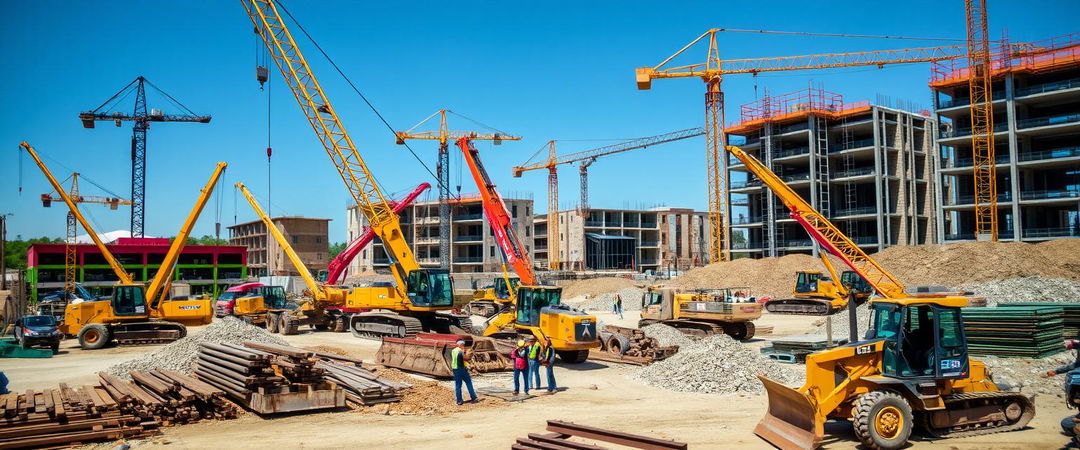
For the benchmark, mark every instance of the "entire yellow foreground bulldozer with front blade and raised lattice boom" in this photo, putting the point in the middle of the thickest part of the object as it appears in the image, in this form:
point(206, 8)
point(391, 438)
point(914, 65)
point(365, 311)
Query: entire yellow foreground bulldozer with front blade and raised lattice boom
point(912, 366)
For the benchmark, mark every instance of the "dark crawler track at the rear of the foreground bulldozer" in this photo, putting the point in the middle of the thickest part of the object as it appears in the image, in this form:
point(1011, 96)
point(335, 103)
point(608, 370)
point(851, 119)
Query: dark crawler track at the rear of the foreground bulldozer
point(1010, 412)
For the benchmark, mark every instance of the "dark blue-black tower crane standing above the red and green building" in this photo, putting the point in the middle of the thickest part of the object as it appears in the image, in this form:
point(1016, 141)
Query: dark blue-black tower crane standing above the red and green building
point(142, 119)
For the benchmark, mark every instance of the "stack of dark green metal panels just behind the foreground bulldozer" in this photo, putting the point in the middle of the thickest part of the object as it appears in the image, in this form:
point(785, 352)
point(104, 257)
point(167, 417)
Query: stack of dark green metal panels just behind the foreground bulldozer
point(1015, 332)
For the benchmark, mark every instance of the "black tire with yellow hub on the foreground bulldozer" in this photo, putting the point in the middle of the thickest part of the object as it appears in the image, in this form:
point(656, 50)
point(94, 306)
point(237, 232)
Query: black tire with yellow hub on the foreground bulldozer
point(882, 420)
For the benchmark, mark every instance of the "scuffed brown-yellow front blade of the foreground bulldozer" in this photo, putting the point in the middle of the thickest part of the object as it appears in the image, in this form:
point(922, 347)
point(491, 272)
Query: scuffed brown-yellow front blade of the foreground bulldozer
point(791, 420)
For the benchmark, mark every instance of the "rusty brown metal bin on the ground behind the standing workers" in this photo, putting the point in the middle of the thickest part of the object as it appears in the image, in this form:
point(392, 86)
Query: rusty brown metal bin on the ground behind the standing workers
point(430, 354)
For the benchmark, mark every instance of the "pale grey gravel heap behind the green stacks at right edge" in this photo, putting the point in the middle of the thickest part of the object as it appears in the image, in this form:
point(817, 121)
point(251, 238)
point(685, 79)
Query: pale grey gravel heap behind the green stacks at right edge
point(1027, 289)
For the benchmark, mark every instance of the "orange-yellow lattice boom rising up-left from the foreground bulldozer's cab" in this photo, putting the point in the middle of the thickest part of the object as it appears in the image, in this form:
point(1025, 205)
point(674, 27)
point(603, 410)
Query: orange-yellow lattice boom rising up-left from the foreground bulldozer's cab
point(825, 233)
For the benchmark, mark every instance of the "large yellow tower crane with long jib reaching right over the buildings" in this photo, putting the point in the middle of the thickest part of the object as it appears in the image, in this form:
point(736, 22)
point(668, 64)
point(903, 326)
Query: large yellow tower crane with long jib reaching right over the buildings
point(712, 73)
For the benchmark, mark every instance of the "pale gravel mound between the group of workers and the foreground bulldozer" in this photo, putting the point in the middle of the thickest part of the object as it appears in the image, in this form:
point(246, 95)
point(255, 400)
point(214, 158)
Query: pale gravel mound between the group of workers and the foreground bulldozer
point(715, 365)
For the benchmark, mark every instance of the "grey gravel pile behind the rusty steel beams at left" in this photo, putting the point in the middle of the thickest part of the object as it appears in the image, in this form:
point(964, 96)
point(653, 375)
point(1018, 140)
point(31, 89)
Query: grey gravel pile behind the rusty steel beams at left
point(182, 356)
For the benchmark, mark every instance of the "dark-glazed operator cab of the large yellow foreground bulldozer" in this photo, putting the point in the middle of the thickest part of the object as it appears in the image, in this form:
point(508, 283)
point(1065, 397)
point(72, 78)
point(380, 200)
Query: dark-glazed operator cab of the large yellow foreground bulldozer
point(921, 340)
